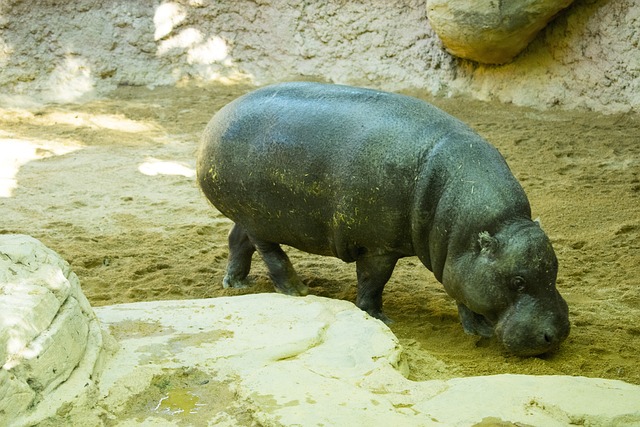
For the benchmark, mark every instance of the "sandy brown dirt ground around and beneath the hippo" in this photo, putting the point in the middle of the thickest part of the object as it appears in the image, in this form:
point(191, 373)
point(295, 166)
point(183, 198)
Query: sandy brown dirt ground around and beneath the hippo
point(109, 185)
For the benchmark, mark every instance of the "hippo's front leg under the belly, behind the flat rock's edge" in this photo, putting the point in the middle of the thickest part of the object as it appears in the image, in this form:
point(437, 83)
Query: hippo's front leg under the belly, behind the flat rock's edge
point(373, 274)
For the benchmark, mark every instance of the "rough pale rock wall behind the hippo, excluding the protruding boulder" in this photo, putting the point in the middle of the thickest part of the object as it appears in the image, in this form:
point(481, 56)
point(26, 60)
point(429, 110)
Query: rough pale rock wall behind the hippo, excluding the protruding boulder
point(61, 51)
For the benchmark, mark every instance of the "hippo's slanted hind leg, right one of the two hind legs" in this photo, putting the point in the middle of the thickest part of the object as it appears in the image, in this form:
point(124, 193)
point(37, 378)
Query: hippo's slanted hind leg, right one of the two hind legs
point(280, 269)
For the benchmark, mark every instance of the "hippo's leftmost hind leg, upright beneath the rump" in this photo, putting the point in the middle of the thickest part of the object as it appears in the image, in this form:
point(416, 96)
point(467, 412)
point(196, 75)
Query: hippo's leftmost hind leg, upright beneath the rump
point(241, 250)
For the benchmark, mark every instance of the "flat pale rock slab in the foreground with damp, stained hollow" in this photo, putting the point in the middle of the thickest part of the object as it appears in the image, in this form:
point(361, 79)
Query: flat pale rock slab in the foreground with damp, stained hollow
point(275, 360)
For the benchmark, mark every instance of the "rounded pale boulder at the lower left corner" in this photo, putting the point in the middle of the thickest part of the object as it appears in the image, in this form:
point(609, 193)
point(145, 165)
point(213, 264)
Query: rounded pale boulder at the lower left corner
point(50, 338)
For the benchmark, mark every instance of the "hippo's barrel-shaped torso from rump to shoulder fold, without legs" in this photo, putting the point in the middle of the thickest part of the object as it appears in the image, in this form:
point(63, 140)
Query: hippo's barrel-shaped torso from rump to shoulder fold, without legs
point(328, 169)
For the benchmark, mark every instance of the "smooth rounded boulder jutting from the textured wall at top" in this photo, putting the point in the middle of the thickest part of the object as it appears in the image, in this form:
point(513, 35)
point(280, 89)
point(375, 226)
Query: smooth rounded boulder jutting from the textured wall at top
point(490, 31)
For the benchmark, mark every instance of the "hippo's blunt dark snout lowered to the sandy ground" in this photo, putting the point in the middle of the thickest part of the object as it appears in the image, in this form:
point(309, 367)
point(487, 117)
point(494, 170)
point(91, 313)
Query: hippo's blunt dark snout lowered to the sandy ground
point(532, 328)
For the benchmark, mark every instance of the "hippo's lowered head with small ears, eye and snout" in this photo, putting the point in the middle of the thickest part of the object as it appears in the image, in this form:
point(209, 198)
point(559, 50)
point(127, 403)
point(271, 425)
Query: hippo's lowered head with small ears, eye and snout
point(505, 284)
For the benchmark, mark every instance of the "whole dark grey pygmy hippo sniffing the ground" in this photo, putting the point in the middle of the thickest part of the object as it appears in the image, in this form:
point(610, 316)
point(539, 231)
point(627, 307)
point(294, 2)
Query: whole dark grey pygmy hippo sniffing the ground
point(372, 177)
